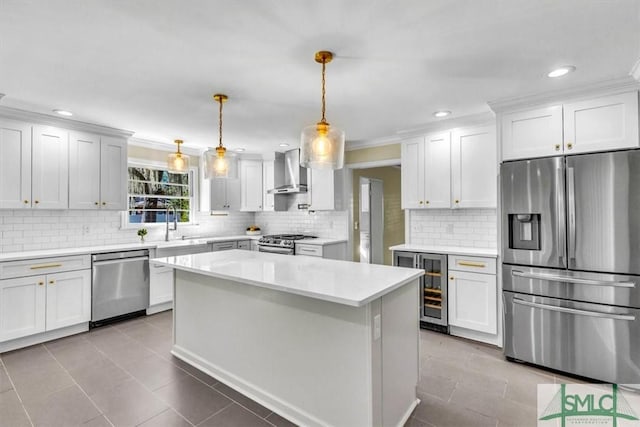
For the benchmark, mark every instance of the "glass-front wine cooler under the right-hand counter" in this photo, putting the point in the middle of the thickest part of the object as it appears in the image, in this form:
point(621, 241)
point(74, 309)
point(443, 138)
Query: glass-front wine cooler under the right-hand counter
point(433, 287)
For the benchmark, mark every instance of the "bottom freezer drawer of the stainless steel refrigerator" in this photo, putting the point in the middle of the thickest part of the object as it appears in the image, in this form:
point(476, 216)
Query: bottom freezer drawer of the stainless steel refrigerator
point(591, 340)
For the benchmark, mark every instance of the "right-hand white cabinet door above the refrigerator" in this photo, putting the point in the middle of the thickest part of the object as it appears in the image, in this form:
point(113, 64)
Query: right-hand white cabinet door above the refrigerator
point(601, 124)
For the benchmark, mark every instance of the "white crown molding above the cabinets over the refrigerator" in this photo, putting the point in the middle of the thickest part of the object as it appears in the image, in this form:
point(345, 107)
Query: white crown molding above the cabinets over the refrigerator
point(621, 84)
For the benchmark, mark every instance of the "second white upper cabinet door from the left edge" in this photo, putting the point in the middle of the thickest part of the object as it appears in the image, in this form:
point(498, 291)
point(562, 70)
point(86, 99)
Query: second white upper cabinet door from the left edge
point(50, 168)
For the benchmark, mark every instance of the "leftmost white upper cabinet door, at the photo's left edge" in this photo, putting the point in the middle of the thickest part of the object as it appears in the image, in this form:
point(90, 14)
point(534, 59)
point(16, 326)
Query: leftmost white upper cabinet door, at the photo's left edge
point(15, 165)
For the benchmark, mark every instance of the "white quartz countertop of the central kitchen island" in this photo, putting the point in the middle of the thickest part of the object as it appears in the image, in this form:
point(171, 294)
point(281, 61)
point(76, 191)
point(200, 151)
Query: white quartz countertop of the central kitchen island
point(342, 282)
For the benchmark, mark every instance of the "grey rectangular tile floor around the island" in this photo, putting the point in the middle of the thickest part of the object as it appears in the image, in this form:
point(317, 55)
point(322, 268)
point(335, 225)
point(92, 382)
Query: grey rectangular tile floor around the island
point(124, 375)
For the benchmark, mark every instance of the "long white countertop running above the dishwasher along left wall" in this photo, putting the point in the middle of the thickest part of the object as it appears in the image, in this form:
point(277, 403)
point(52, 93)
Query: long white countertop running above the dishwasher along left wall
point(48, 253)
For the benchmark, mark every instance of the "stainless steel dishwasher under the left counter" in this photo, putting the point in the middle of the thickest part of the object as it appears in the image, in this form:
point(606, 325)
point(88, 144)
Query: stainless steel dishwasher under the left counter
point(120, 285)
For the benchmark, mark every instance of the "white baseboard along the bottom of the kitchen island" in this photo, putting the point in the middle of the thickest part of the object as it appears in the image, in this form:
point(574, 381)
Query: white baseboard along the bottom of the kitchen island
point(294, 414)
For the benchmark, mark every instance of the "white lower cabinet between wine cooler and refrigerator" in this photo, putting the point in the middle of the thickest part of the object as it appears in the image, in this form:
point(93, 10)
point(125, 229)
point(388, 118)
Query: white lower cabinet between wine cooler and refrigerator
point(473, 294)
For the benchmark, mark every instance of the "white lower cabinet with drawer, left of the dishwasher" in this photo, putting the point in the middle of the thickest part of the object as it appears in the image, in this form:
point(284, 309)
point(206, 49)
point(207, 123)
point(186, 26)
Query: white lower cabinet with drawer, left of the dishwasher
point(46, 302)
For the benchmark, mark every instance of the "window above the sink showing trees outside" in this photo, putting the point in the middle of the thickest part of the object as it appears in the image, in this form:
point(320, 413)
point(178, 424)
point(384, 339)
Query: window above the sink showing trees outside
point(153, 189)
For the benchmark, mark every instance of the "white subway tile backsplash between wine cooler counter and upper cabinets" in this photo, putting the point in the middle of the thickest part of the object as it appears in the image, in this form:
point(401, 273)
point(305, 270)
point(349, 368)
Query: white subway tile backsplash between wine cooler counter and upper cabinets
point(455, 227)
